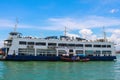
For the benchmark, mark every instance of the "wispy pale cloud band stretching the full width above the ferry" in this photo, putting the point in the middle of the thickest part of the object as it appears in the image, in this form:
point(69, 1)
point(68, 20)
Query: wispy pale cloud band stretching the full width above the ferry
point(71, 23)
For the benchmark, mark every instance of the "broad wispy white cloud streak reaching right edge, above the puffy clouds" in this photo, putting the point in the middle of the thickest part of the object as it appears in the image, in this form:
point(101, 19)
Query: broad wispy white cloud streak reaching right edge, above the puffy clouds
point(88, 22)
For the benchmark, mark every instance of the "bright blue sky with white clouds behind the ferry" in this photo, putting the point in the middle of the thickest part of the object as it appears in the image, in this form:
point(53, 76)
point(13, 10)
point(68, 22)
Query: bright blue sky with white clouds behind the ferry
point(41, 18)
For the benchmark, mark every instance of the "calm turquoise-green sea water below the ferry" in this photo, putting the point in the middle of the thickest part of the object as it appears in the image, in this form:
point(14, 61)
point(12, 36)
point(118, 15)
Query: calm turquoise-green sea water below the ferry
point(38, 70)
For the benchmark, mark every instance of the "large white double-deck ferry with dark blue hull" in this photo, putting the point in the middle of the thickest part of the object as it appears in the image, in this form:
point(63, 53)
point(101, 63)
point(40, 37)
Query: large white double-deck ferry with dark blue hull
point(18, 48)
